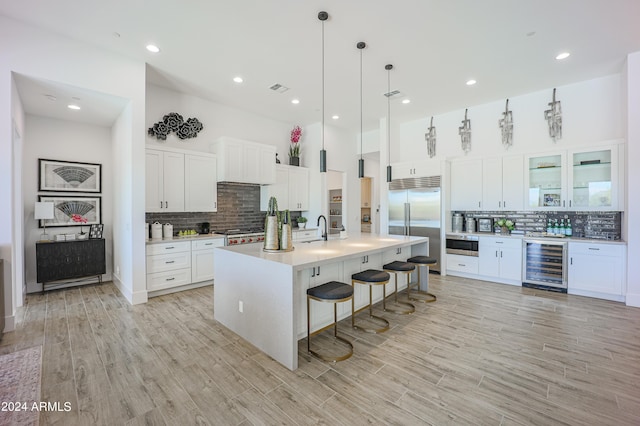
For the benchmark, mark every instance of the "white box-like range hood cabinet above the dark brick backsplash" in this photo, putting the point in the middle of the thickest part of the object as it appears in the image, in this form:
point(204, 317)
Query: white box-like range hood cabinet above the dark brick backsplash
point(246, 162)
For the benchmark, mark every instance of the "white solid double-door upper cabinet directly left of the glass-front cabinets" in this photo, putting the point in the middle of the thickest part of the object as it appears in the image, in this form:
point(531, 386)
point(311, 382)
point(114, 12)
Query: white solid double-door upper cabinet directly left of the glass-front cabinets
point(502, 183)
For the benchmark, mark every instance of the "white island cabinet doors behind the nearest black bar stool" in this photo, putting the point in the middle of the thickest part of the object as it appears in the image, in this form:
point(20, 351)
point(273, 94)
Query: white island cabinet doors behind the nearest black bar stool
point(321, 312)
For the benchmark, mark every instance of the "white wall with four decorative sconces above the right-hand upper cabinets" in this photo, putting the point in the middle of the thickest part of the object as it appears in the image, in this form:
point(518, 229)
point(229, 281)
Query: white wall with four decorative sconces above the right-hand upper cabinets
point(591, 113)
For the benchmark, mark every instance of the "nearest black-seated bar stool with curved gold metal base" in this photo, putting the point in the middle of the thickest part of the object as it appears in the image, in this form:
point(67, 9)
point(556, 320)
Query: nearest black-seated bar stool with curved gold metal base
point(331, 292)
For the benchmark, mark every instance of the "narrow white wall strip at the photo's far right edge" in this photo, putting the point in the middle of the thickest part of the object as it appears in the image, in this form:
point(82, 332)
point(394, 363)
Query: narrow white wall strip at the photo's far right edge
point(633, 178)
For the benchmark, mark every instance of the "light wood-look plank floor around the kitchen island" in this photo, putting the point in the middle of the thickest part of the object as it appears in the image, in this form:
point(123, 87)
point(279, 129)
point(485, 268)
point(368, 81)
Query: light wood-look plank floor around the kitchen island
point(483, 354)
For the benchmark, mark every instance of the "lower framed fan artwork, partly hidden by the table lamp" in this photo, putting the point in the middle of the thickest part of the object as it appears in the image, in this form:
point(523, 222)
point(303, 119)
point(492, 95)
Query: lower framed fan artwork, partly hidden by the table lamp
point(70, 210)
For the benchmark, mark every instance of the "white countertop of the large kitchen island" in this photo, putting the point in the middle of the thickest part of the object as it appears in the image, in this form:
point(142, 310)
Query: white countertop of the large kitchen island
point(315, 252)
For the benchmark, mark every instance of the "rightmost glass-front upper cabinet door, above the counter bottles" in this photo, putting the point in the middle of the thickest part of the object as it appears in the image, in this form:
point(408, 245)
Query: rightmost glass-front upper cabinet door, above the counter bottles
point(593, 179)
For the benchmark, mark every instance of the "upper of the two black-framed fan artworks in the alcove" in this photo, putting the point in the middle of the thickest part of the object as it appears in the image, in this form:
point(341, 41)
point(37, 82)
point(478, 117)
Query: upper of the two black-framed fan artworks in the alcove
point(69, 176)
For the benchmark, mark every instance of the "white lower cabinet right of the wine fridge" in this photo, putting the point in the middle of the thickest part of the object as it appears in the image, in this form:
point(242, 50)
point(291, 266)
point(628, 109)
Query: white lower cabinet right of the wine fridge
point(596, 270)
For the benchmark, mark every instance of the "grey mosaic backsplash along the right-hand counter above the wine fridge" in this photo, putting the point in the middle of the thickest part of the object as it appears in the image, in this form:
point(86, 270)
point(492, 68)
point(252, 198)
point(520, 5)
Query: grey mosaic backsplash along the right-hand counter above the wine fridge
point(597, 225)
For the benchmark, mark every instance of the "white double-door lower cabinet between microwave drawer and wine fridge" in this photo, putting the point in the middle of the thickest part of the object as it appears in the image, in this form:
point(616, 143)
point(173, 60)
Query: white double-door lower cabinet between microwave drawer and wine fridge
point(500, 259)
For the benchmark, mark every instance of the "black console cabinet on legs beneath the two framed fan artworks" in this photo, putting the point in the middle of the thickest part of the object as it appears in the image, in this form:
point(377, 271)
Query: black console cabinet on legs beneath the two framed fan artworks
point(67, 260)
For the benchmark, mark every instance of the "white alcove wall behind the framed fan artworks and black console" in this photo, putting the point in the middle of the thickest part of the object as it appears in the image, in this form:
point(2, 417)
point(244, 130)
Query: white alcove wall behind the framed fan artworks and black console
point(53, 139)
